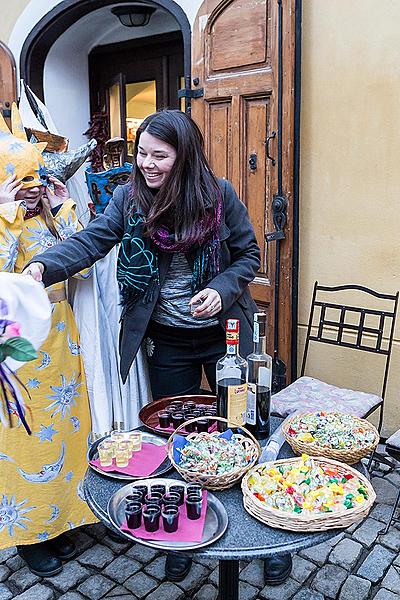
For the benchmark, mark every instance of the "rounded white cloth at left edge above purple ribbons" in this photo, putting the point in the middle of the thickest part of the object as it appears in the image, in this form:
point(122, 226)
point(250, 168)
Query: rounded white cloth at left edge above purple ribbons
point(28, 305)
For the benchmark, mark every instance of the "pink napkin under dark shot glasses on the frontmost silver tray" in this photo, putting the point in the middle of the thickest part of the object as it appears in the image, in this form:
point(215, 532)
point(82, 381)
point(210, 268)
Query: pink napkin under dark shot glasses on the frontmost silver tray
point(188, 530)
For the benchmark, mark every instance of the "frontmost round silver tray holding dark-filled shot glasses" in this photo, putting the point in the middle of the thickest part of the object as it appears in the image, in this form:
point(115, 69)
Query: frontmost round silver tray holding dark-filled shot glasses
point(214, 527)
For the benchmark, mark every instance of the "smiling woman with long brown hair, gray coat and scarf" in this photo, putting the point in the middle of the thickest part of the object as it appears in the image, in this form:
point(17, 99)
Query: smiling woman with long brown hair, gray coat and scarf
point(188, 253)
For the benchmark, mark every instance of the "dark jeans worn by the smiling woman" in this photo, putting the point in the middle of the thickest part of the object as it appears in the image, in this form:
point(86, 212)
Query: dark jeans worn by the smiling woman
point(176, 356)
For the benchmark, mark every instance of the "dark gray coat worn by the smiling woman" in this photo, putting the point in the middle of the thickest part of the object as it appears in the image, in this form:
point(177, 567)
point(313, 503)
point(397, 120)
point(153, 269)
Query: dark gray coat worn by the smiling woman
point(239, 263)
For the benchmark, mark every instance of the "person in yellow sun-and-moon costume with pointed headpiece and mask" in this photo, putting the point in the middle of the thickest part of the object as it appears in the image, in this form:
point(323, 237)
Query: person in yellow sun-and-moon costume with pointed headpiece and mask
point(41, 474)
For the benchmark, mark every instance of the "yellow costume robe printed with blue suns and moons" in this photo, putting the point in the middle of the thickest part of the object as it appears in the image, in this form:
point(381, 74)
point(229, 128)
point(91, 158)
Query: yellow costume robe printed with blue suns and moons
point(41, 475)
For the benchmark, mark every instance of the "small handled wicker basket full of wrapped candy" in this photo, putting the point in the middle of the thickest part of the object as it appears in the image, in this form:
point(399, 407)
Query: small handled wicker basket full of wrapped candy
point(215, 460)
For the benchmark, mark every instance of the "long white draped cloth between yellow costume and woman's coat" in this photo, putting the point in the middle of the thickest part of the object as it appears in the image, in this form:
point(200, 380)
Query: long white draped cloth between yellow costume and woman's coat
point(97, 312)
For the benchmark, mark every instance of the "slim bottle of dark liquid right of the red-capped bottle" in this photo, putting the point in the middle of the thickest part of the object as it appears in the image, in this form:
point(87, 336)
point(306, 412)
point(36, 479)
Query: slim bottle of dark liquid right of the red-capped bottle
point(259, 377)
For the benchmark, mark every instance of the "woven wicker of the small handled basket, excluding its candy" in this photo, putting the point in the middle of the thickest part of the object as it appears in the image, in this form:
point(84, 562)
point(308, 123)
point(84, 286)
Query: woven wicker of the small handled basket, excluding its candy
point(226, 480)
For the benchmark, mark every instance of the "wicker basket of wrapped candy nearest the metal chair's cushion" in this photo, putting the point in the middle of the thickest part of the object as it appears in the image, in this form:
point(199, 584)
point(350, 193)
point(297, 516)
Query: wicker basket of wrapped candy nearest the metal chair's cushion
point(336, 435)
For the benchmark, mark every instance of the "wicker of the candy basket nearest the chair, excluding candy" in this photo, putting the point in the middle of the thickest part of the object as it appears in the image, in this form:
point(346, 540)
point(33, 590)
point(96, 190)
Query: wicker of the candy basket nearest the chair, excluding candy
point(348, 455)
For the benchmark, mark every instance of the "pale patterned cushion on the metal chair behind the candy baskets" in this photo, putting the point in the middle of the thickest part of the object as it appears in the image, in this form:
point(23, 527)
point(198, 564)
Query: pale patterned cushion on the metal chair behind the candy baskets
point(308, 394)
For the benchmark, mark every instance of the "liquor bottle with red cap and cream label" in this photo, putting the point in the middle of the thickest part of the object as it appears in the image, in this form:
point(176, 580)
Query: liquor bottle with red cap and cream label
point(231, 375)
